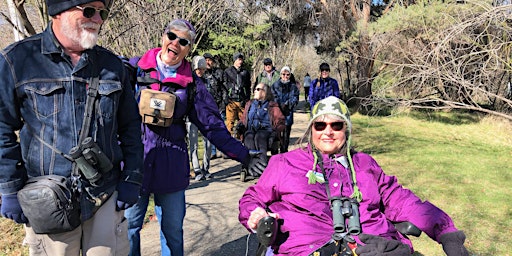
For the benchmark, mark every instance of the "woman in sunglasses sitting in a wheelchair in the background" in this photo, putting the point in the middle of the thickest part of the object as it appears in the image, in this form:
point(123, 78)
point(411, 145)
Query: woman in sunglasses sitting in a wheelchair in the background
point(261, 121)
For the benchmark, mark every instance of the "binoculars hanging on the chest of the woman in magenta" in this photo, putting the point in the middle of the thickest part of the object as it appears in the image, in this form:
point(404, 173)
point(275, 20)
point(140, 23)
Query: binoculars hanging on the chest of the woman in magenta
point(345, 215)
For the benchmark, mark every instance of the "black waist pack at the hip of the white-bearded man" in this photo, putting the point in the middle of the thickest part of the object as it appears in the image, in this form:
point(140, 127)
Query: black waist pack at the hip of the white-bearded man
point(49, 204)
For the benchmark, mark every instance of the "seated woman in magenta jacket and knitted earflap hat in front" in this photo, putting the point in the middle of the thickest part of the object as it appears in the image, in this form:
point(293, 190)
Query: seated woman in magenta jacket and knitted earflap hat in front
point(331, 200)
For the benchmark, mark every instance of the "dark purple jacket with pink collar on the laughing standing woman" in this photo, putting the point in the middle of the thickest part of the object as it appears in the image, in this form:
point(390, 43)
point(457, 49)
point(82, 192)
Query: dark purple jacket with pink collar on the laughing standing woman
point(166, 160)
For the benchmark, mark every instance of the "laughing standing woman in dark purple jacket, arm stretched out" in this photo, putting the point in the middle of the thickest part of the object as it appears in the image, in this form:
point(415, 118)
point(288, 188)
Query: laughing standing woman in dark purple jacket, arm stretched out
point(166, 161)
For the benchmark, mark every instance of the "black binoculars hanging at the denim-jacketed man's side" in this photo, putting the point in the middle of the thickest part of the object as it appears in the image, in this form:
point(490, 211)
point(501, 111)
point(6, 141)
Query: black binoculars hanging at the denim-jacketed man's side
point(89, 159)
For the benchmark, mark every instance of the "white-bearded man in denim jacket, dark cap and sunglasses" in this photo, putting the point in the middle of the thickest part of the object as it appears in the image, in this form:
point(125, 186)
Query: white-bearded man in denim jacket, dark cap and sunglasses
point(59, 89)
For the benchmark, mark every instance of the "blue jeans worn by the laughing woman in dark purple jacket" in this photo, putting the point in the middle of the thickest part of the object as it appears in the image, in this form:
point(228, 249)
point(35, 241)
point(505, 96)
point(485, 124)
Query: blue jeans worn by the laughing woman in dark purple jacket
point(170, 211)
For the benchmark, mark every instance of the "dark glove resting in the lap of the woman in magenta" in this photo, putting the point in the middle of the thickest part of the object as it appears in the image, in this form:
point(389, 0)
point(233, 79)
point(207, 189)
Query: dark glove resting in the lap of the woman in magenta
point(379, 246)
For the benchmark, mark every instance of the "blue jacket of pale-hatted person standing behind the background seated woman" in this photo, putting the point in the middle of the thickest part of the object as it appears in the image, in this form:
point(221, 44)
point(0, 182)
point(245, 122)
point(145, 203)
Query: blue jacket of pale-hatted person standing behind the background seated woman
point(287, 96)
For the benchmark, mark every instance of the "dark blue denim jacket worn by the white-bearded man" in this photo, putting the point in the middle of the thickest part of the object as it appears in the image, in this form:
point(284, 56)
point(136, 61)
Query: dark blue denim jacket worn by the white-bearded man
point(42, 93)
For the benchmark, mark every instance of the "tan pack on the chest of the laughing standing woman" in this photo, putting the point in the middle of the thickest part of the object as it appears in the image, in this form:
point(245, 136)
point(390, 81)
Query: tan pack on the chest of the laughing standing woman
point(156, 107)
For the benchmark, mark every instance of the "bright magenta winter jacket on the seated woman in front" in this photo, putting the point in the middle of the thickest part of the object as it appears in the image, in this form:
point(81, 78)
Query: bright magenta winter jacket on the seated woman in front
point(305, 208)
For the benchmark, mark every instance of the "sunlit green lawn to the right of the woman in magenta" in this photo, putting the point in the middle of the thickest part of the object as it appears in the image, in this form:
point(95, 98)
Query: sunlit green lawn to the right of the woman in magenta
point(460, 162)
